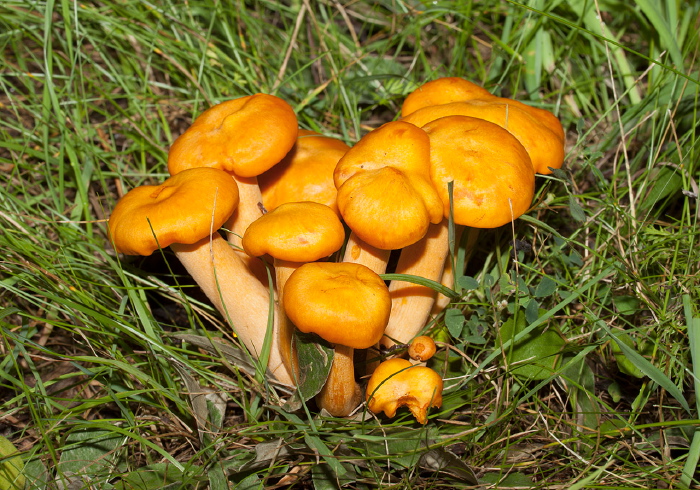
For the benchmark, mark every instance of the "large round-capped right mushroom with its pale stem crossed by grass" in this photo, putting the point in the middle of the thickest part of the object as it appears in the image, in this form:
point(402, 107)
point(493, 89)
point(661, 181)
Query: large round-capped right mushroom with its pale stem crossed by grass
point(493, 183)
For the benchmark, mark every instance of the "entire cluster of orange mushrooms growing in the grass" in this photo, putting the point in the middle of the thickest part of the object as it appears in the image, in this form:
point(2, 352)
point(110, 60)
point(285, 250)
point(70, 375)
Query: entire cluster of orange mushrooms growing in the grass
point(283, 193)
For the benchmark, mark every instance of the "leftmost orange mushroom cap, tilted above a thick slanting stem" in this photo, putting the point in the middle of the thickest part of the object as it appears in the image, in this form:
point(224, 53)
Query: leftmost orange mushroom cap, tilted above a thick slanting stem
point(183, 209)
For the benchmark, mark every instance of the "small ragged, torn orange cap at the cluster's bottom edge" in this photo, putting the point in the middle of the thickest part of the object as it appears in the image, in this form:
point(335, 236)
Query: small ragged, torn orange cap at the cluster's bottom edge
point(397, 383)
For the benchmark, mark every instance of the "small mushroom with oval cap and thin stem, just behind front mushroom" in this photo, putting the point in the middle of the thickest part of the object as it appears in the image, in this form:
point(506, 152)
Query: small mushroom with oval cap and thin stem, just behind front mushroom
point(292, 234)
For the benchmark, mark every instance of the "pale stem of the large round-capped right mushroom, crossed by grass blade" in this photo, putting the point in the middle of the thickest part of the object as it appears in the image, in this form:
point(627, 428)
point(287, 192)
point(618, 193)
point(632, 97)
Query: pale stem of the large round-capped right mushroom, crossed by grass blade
point(411, 303)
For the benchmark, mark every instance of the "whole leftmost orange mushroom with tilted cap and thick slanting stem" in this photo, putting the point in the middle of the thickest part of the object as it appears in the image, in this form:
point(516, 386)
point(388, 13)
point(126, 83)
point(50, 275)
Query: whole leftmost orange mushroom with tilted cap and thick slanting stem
point(184, 213)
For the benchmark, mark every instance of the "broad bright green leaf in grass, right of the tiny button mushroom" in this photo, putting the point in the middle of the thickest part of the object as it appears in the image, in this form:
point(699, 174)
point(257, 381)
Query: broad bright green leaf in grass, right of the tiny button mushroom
point(536, 354)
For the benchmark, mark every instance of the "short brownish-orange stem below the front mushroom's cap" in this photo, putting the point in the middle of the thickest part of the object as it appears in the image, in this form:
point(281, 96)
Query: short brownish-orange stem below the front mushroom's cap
point(341, 394)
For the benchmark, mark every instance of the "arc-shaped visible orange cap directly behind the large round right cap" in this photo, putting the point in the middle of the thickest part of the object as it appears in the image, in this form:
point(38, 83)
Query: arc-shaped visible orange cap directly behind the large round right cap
point(539, 131)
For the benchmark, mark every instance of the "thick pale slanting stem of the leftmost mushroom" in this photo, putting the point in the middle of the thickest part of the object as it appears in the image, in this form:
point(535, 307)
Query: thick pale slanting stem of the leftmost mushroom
point(244, 301)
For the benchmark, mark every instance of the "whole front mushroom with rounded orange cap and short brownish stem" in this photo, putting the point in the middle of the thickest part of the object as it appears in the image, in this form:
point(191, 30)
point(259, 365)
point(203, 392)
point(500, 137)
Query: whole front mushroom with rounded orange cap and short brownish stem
point(345, 304)
